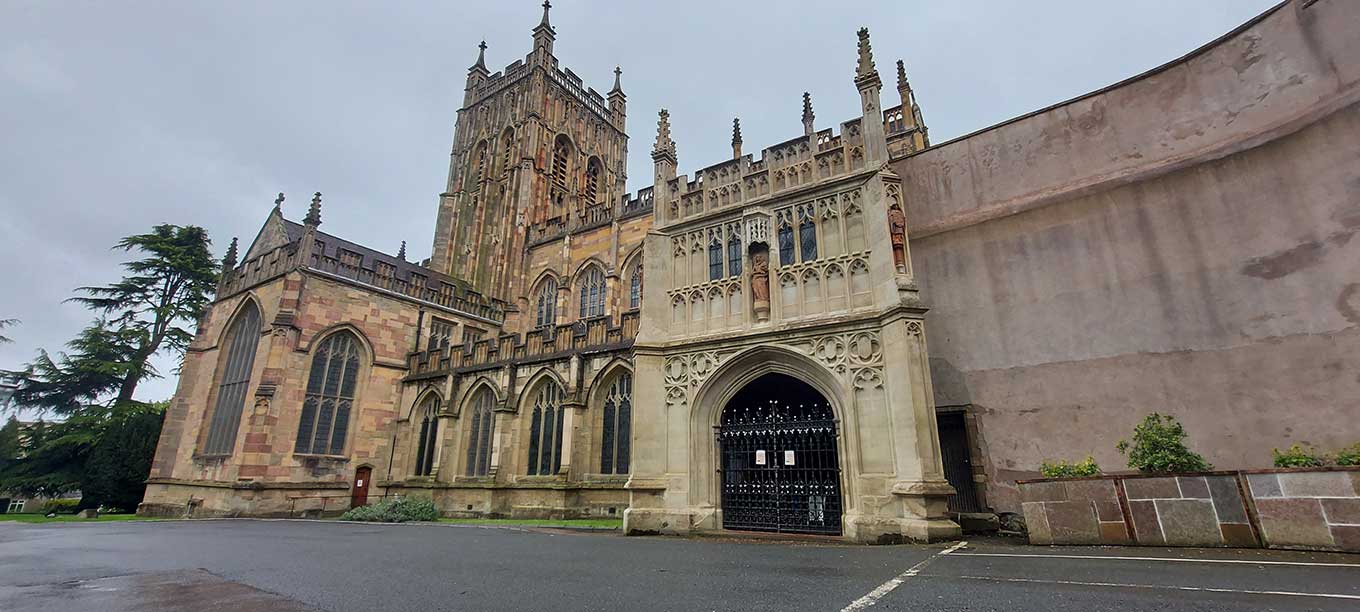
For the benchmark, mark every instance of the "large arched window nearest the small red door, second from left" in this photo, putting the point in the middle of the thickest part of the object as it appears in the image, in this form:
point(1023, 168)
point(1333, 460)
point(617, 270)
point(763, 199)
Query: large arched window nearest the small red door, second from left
point(326, 411)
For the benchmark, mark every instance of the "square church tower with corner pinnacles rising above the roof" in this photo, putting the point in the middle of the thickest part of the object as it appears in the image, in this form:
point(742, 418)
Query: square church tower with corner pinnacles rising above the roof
point(537, 154)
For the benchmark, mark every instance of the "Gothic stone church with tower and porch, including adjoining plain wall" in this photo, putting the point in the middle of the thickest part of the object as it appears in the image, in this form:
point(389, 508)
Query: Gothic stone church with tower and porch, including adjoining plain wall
point(747, 347)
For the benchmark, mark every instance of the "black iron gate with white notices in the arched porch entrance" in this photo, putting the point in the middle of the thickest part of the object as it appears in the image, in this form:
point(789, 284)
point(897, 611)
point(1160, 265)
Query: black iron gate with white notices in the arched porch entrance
point(780, 469)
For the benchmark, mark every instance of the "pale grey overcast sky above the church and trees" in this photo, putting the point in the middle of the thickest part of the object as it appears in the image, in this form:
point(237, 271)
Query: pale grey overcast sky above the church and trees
point(118, 116)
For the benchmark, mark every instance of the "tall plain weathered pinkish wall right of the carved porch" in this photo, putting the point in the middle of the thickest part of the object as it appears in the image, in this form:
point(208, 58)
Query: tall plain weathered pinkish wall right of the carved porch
point(1180, 243)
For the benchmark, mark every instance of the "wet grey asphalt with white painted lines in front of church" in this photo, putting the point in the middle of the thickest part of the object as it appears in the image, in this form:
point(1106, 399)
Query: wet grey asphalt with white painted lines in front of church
point(293, 566)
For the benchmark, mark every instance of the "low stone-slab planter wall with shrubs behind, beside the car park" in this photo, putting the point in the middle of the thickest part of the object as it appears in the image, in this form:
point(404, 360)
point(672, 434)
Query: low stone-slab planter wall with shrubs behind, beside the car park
point(1309, 509)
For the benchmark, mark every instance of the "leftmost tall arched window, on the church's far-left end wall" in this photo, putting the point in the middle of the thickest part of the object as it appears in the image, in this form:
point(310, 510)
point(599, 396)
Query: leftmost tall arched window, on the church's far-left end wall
point(241, 343)
